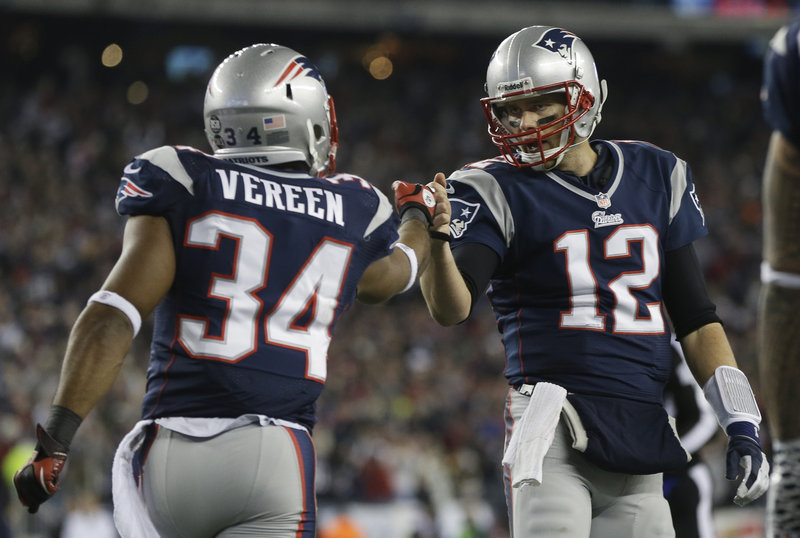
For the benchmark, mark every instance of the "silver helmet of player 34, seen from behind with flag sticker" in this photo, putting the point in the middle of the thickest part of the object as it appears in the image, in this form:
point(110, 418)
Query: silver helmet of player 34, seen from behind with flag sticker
point(267, 104)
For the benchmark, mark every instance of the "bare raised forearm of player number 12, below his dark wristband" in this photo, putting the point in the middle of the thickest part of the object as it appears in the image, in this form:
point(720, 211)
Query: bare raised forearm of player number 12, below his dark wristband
point(443, 287)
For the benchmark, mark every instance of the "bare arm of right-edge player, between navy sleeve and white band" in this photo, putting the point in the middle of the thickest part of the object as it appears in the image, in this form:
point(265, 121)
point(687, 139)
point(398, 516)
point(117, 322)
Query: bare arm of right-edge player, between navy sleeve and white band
point(781, 196)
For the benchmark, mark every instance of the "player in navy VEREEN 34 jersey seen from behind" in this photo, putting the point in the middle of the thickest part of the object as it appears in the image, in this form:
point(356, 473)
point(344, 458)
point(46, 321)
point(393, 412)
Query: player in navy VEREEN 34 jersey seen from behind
point(249, 258)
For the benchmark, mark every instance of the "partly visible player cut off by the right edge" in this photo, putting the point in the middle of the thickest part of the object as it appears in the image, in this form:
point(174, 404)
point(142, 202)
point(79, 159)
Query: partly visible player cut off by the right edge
point(780, 301)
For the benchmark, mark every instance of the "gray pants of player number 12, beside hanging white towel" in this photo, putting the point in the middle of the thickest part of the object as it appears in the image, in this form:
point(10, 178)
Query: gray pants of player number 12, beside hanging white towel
point(577, 499)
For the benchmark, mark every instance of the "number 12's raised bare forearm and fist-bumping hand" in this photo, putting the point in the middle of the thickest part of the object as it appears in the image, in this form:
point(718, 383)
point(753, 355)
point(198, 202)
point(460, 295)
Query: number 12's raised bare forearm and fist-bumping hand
point(445, 292)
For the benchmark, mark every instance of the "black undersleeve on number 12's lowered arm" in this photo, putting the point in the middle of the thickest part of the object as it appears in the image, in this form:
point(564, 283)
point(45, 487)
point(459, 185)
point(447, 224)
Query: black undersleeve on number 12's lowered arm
point(685, 294)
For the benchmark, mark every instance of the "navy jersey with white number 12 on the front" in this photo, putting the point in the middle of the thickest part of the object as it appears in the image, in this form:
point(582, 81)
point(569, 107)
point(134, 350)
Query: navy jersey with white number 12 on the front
point(577, 295)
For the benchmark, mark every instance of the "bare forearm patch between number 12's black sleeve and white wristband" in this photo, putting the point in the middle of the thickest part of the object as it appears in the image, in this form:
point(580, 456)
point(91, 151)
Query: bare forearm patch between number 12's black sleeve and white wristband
point(706, 349)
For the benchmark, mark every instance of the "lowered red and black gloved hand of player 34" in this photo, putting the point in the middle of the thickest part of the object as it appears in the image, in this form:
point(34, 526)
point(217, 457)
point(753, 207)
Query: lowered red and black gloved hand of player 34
point(38, 479)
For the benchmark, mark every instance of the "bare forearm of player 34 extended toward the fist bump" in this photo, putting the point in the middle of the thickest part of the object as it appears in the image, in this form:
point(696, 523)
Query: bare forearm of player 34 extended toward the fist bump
point(388, 276)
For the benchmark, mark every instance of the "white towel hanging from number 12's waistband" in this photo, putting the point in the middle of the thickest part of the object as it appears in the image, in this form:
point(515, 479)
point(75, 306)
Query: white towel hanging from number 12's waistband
point(533, 434)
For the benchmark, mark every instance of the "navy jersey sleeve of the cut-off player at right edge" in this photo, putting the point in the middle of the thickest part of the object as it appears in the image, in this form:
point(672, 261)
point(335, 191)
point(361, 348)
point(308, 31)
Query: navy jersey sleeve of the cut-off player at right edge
point(781, 87)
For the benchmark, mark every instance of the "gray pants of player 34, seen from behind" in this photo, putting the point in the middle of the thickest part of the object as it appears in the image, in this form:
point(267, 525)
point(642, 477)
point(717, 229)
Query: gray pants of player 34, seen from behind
point(249, 481)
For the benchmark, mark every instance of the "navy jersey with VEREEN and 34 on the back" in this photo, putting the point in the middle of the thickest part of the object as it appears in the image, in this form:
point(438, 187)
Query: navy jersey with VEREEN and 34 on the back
point(267, 262)
